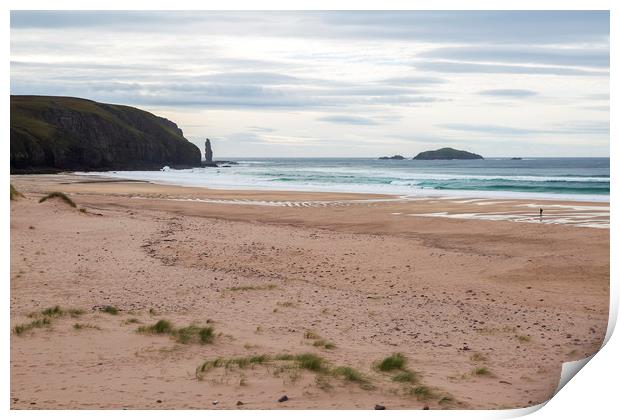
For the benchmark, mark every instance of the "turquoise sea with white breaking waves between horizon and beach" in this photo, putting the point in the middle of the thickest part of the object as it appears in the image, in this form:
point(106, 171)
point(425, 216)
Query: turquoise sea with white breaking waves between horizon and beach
point(580, 179)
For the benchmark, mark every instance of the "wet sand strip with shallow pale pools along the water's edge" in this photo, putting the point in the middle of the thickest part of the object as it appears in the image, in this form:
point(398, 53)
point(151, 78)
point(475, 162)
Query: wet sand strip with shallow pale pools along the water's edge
point(588, 214)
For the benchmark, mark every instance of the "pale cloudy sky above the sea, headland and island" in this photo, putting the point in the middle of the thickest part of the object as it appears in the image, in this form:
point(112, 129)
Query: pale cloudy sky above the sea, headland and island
point(359, 84)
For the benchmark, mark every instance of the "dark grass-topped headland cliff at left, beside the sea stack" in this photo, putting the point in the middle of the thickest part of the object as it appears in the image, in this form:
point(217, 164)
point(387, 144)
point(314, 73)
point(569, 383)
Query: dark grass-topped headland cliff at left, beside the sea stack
point(51, 134)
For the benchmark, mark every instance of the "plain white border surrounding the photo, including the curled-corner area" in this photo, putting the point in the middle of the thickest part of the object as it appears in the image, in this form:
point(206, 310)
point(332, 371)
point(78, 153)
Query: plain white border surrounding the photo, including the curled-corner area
point(593, 394)
